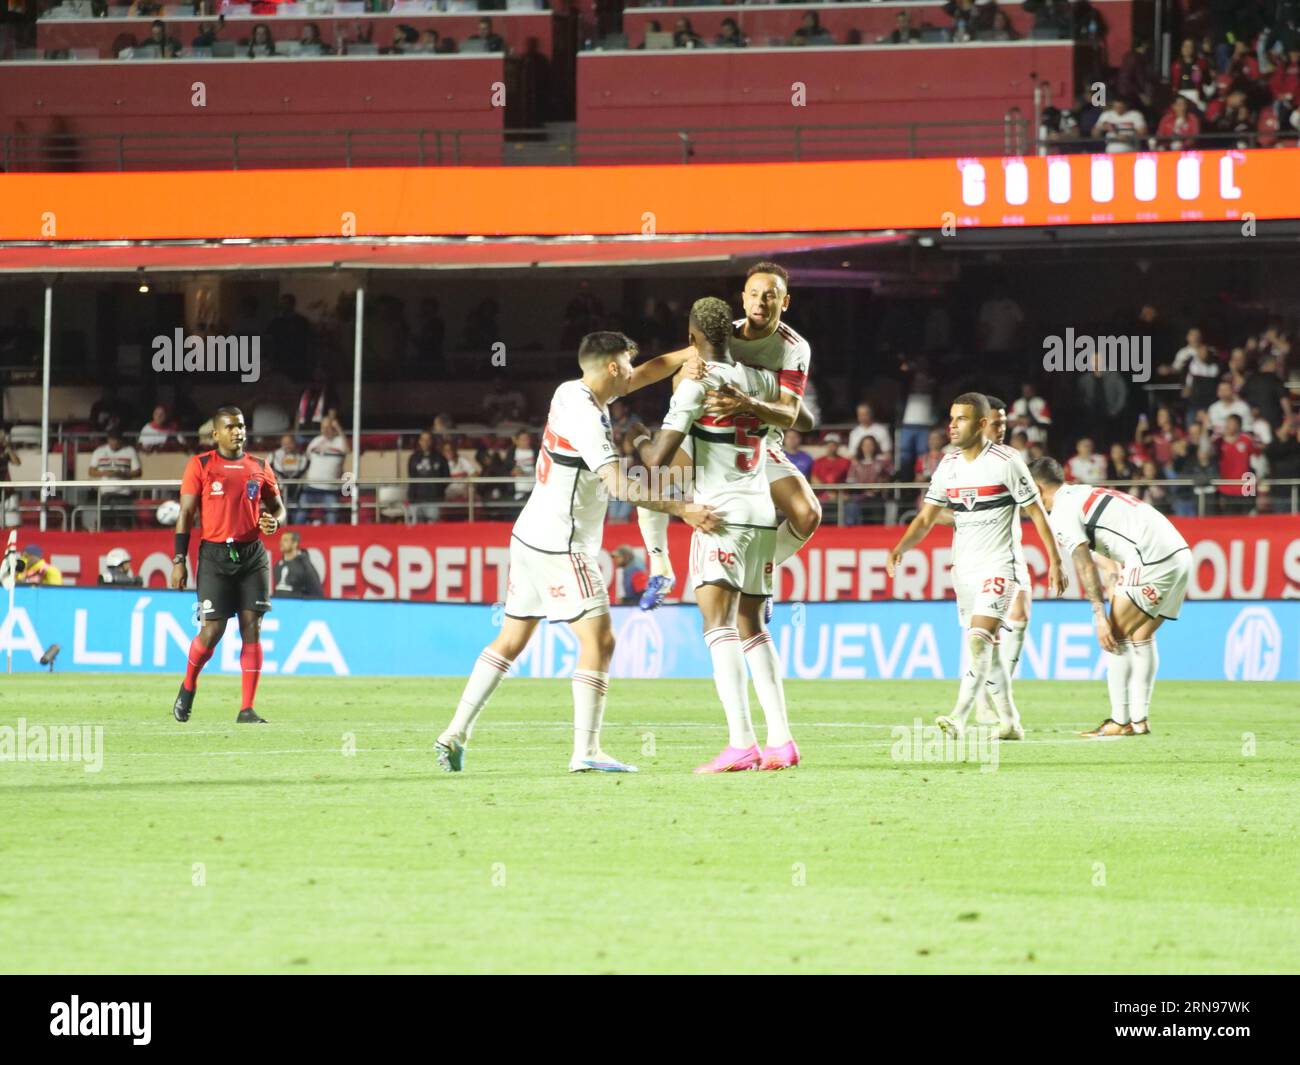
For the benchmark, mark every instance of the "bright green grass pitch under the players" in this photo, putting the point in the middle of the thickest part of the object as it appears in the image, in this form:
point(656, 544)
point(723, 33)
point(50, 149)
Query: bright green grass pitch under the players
point(211, 847)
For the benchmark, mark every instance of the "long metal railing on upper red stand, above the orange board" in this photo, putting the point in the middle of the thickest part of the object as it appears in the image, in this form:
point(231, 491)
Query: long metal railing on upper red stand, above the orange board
point(383, 148)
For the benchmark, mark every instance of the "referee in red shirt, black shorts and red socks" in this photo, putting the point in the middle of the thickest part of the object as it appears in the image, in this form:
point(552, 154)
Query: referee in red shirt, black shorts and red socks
point(233, 496)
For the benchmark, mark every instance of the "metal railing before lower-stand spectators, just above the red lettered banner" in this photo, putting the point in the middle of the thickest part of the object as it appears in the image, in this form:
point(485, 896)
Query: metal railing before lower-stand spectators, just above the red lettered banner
point(501, 499)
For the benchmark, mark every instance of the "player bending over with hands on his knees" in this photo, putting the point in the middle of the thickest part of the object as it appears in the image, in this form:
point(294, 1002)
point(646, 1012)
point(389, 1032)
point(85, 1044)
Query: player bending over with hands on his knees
point(1156, 566)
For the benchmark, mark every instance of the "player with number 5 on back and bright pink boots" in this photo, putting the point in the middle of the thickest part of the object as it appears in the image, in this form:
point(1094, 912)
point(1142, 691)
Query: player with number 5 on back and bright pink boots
point(731, 568)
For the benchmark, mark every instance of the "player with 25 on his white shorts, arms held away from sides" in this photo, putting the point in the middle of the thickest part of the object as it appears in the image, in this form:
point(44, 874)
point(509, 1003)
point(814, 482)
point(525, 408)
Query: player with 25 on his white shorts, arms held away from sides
point(982, 484)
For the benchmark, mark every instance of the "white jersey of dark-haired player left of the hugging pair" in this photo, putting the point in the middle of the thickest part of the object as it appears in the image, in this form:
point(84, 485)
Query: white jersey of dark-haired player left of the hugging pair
point(565, 513)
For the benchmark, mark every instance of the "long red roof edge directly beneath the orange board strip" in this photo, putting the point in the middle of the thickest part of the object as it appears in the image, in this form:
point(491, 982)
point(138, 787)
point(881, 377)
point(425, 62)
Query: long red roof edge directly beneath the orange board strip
point(411, 254)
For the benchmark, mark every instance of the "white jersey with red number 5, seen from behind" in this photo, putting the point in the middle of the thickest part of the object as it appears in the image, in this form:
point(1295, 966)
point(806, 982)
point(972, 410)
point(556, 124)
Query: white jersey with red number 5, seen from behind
point(729, 452)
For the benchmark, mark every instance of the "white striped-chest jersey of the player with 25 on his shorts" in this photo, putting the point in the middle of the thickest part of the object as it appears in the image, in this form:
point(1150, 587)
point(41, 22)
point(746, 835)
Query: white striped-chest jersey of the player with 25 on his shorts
point(985, 497)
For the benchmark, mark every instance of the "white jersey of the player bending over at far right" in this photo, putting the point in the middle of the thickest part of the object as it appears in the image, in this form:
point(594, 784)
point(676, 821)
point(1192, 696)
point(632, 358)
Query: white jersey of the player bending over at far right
point(1113, 525)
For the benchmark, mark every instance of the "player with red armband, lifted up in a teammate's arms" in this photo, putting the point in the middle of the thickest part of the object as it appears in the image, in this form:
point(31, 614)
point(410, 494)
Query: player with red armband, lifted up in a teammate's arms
point(764, 341)
